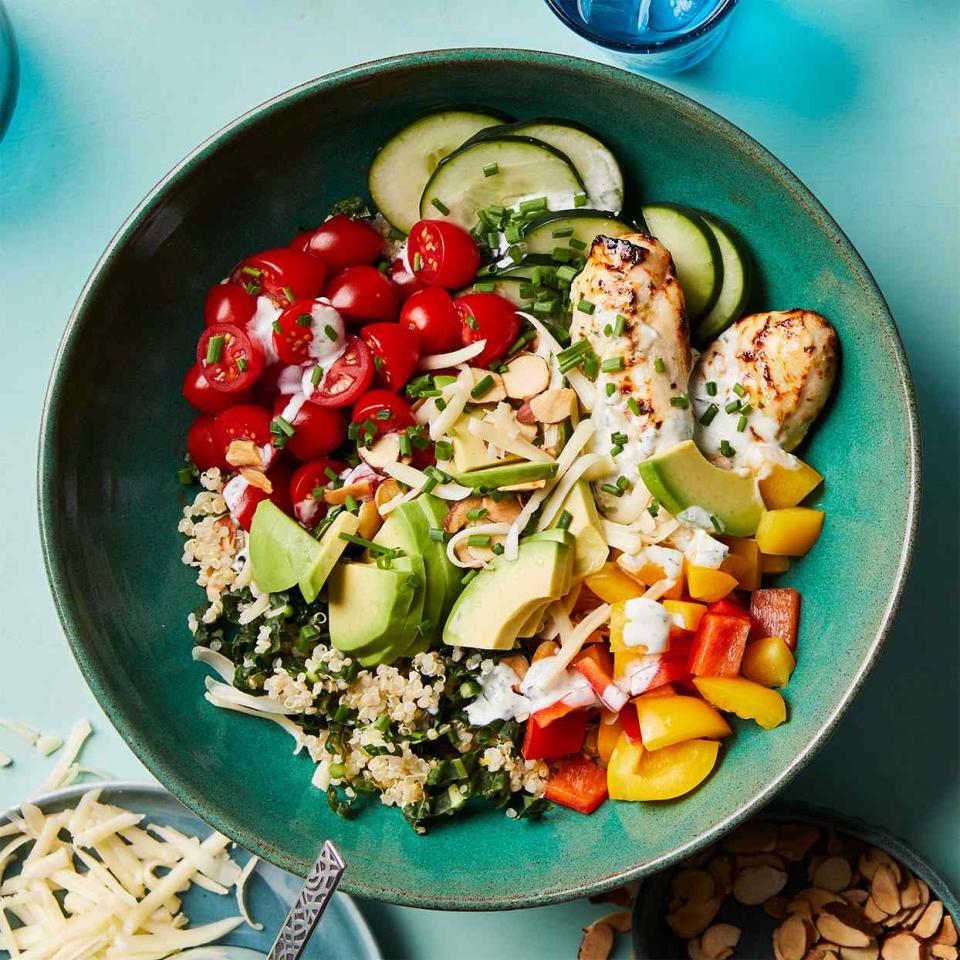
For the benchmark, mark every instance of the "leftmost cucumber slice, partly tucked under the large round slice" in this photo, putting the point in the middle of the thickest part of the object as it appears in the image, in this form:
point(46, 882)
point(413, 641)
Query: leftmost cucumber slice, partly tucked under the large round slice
point(405, 163)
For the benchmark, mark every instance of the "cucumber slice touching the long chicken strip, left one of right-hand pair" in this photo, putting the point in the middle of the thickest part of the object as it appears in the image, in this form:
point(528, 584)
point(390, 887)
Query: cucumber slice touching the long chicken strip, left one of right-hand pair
point(695, 253)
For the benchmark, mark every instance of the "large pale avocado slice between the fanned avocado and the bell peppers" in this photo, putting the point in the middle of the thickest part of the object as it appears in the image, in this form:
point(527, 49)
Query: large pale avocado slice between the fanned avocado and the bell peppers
point(500, 599)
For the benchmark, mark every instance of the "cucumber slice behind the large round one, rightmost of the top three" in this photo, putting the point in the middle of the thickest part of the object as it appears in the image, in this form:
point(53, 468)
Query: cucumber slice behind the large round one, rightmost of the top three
point(595, 162)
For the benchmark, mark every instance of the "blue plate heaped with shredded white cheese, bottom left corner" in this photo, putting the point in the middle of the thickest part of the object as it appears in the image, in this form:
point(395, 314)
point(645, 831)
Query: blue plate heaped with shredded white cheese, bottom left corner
point(122, 871)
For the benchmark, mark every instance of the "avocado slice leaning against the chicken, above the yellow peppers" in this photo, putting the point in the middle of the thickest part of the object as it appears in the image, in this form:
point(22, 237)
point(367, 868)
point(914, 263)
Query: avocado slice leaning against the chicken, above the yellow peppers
point(682, 478)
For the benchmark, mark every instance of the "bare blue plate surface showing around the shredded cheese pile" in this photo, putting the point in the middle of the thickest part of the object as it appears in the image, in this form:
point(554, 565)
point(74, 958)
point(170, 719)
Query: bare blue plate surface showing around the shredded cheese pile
point(343, 934)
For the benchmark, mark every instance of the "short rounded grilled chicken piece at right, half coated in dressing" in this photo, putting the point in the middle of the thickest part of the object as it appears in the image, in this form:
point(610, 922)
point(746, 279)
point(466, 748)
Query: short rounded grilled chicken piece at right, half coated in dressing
point(780, 367)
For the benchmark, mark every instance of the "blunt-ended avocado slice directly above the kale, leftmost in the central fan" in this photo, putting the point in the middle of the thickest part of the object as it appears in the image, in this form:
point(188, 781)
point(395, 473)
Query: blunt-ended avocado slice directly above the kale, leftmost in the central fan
point(366, 605)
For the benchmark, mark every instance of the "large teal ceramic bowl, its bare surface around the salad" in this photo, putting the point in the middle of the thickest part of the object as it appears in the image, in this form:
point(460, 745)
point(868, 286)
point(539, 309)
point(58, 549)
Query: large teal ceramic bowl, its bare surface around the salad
point(113, 435)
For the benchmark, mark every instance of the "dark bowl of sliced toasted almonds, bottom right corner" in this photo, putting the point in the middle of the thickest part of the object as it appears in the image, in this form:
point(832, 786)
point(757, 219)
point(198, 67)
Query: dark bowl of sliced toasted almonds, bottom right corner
point(798, 883)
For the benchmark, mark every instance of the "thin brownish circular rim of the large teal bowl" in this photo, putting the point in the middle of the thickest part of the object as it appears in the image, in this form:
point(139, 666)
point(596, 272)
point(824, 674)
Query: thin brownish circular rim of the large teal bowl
point(53, 545)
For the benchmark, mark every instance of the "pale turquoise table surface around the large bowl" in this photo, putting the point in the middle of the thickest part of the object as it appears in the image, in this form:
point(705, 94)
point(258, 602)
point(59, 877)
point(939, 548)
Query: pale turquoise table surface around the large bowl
point(859, 98)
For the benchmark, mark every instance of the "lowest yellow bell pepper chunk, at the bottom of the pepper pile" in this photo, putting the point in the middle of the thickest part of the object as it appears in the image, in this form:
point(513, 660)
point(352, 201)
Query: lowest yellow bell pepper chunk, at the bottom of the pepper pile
point(637, 774)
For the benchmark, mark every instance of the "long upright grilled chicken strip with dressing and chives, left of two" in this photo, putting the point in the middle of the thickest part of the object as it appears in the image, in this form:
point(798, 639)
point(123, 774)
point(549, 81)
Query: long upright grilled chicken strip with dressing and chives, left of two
point(633, 277)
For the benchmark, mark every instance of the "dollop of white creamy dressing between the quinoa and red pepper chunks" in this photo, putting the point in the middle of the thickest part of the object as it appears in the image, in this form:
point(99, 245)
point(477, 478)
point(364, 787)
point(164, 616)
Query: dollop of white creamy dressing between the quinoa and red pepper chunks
point(498, 701)
